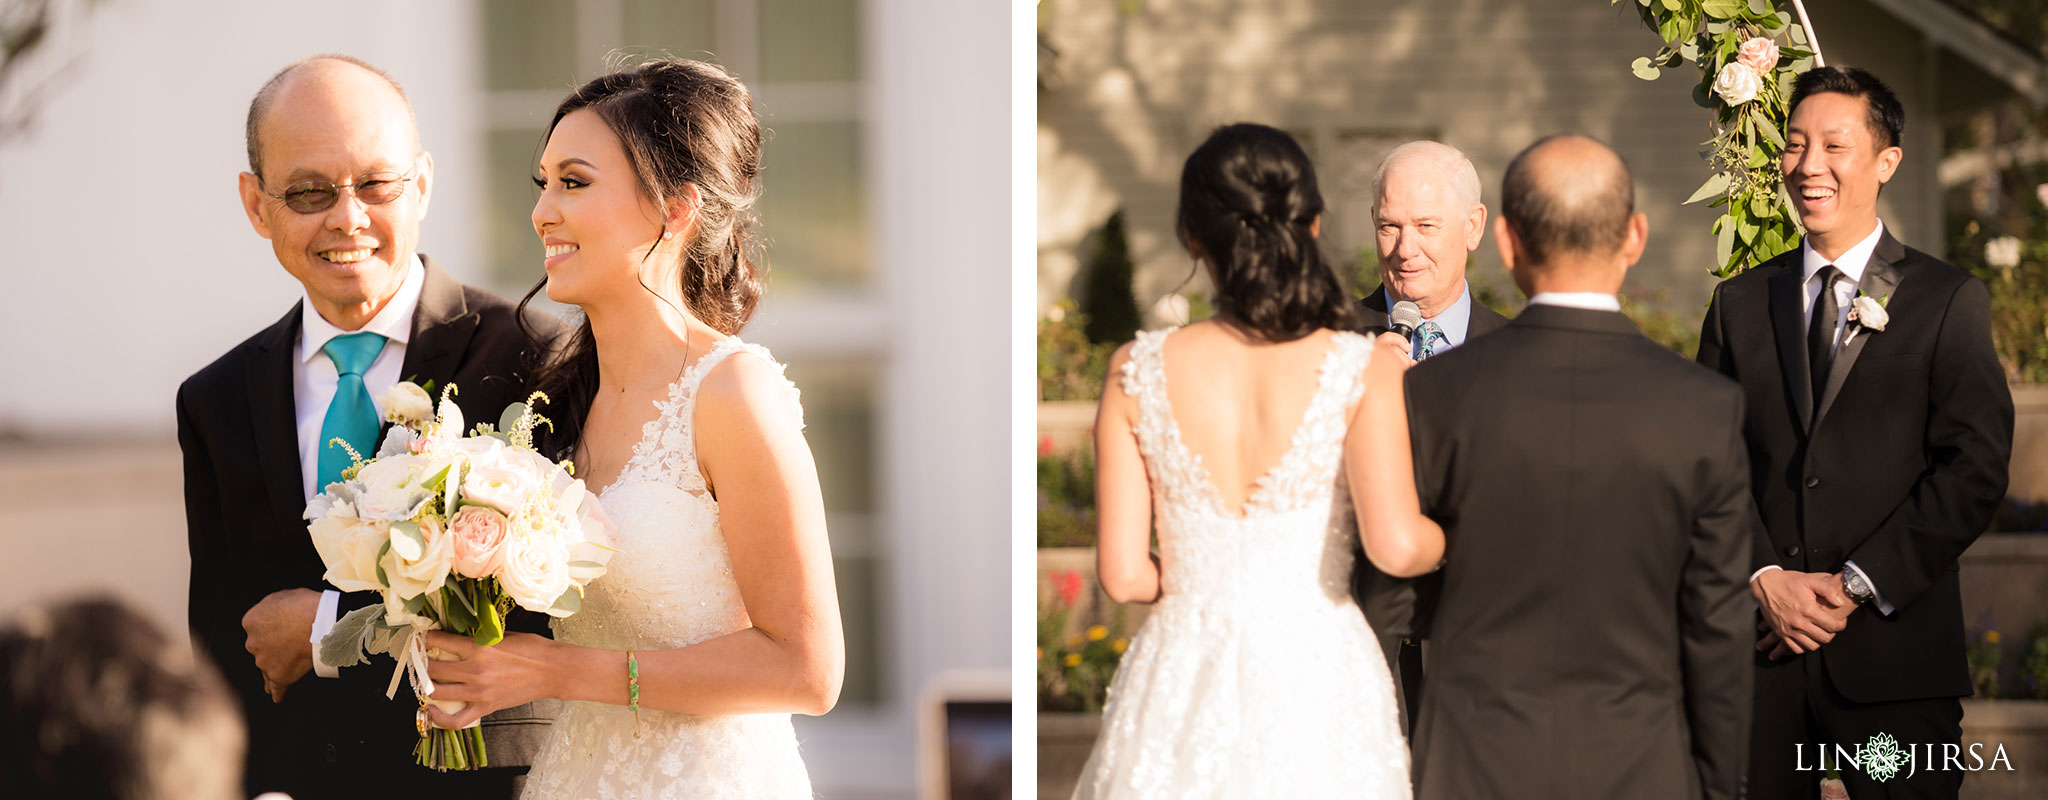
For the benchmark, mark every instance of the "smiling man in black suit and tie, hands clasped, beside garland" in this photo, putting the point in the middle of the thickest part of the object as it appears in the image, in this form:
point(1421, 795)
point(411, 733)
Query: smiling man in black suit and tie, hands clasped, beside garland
point(1879, 437)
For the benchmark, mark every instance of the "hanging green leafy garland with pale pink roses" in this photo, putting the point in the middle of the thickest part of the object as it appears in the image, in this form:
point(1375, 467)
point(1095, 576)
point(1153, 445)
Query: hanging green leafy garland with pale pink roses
point(1746, 81)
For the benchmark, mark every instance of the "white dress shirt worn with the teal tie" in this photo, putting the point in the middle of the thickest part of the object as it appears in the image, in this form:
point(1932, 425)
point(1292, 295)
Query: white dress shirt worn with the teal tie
point(312, 388)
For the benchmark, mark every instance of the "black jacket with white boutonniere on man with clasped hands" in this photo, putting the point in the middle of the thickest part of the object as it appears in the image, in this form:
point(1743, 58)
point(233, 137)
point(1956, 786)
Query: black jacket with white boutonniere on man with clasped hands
point(1904, 468)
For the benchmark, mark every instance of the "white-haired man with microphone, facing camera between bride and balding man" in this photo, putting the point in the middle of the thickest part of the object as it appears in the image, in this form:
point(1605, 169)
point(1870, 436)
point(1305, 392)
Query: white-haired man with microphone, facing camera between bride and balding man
point(1428, 218)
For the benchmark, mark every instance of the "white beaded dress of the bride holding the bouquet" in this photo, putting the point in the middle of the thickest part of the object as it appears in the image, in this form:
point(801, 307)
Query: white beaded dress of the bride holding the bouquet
point(669, 586)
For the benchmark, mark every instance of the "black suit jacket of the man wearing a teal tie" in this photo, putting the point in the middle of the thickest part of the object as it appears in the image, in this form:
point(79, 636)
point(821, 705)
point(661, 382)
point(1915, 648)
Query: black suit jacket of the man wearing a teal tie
point(245, 525)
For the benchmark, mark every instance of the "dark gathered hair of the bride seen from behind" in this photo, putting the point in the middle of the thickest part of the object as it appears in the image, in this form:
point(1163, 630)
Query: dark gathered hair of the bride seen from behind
point(1250, 206)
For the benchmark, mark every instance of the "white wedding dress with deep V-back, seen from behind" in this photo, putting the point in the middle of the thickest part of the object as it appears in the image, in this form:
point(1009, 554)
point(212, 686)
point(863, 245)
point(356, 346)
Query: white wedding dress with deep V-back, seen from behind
point(1256, 676)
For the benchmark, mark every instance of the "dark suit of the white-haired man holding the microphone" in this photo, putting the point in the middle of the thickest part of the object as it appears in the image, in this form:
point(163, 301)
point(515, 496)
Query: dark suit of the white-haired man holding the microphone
point(1400, 609)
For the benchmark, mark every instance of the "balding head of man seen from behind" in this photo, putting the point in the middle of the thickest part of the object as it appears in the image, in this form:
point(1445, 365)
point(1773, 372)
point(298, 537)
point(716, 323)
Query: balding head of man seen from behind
point(1568, 197)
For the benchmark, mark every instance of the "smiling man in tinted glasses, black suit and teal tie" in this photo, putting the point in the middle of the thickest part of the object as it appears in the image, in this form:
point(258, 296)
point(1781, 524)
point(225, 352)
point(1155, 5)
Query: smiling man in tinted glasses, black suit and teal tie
point(339, 185)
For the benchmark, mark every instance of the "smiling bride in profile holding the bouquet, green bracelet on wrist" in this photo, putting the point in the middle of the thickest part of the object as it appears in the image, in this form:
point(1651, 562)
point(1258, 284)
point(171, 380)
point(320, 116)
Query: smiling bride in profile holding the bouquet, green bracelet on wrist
point(722, 590)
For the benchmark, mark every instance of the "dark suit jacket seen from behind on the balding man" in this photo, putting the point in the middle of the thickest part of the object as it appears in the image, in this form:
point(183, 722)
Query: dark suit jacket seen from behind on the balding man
point(1592, 637)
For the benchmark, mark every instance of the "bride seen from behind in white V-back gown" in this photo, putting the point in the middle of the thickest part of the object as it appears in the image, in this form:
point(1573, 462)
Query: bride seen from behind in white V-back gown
point(1256, 676)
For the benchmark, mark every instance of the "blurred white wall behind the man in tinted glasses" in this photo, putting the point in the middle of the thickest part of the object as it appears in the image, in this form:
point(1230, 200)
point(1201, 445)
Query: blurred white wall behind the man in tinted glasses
point(132, 263)
